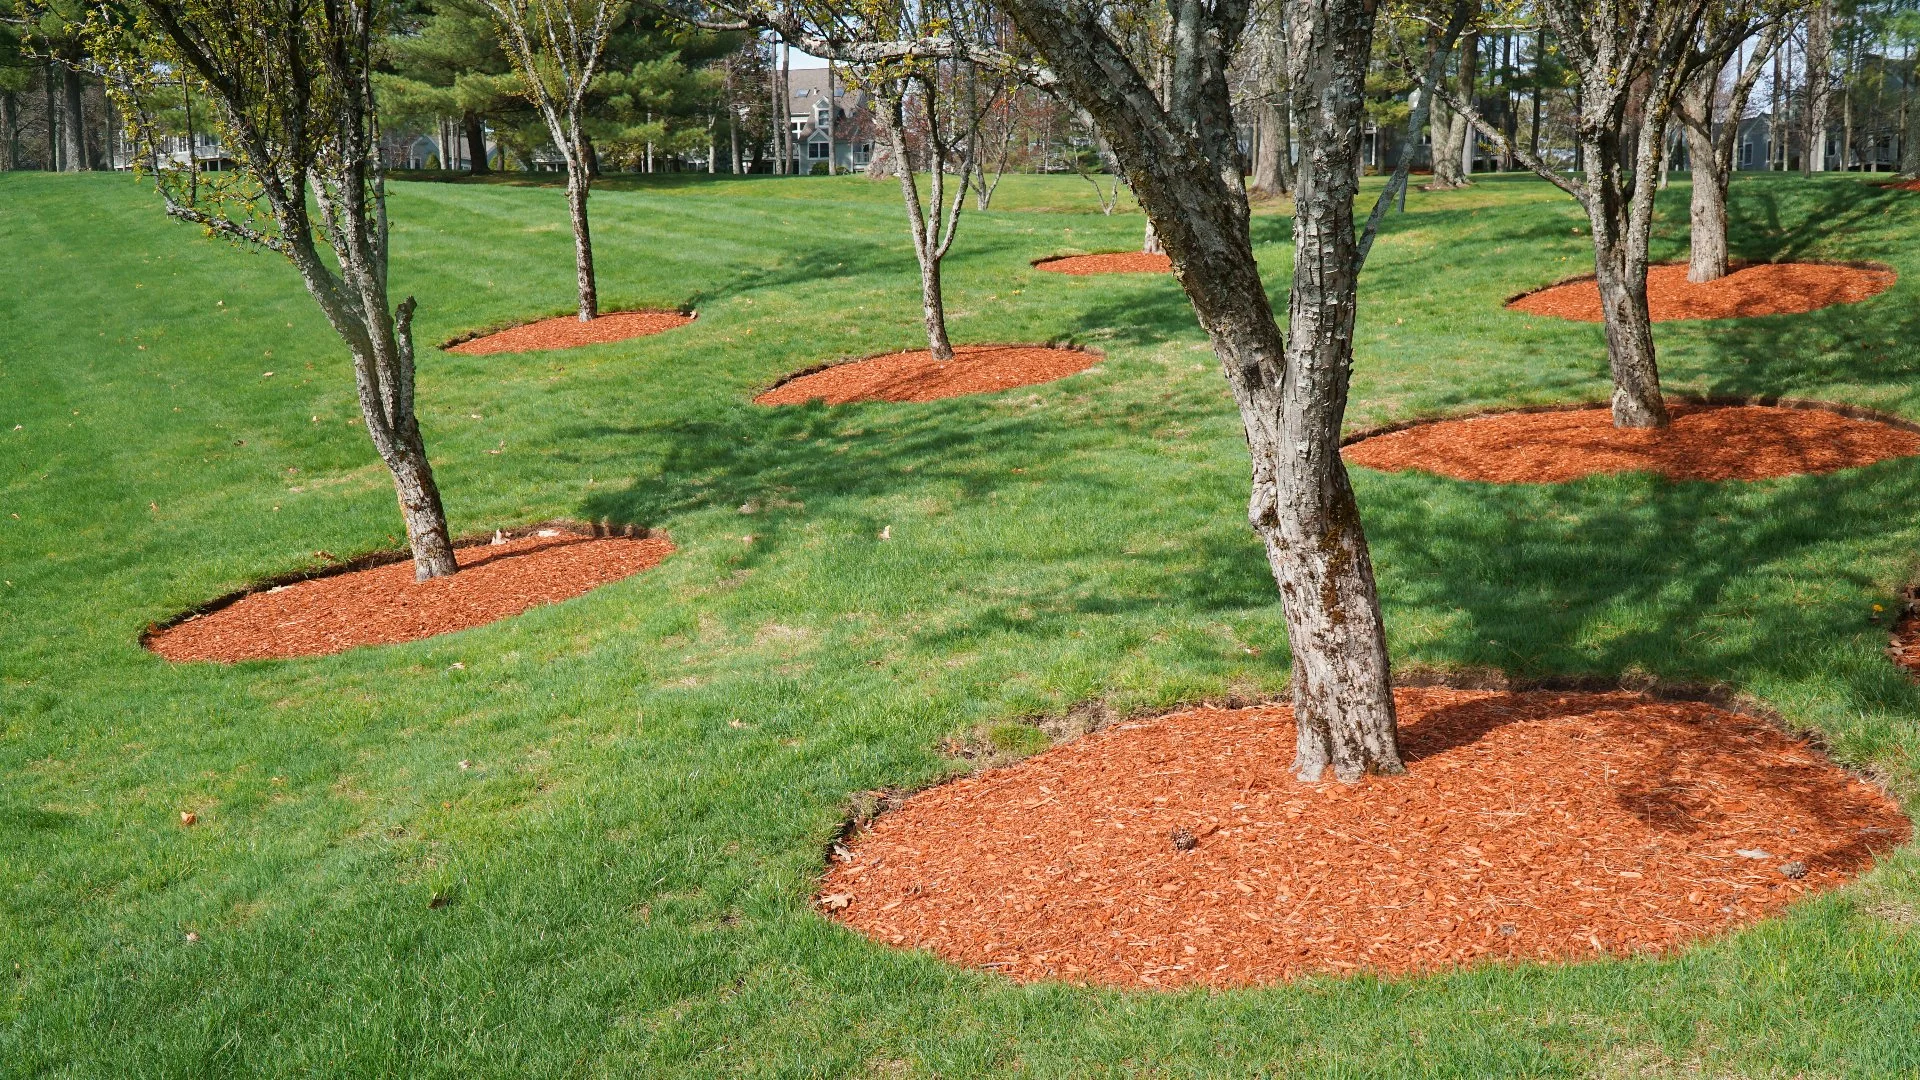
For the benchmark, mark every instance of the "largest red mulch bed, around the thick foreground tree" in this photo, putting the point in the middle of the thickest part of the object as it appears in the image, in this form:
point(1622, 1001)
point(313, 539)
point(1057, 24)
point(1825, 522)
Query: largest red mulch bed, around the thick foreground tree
point(1533, 825)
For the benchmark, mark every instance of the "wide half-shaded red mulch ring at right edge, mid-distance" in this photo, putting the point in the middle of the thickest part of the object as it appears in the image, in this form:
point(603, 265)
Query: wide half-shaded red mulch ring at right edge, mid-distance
point(1706, 443)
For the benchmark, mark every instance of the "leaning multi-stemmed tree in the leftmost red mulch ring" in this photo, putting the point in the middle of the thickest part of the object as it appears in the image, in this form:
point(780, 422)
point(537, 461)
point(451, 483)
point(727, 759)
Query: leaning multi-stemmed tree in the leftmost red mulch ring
point(291, 86)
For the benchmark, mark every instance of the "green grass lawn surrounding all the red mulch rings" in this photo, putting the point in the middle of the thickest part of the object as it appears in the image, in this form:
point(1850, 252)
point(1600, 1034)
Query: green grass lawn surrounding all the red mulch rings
point(660, 764)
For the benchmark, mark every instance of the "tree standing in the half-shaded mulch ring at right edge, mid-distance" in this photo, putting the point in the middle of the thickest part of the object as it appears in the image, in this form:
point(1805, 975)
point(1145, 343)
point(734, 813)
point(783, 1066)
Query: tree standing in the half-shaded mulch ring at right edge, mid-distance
point(1631, 62)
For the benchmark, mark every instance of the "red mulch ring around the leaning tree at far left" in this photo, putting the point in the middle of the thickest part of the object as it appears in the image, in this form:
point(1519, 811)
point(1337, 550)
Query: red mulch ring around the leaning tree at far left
point(375, 602)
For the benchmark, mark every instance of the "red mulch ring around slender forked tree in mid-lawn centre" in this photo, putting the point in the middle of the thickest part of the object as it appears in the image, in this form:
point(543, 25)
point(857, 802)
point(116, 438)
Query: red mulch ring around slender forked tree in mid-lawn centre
point(919, 378)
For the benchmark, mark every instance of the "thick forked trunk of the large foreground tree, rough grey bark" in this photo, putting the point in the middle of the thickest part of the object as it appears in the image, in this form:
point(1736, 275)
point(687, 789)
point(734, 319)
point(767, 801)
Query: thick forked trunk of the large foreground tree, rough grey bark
point(1186, 170)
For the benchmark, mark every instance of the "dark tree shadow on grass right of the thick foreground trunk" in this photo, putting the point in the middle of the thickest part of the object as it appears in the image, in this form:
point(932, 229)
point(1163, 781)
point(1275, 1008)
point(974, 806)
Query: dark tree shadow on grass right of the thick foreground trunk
point(1616, 574)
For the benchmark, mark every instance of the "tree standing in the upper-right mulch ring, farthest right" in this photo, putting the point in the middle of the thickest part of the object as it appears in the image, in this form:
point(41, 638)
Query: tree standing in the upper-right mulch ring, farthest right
point(1712, 151)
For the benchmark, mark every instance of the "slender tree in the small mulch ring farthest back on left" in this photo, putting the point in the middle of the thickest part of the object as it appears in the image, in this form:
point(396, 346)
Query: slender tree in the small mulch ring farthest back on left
point(558, 47)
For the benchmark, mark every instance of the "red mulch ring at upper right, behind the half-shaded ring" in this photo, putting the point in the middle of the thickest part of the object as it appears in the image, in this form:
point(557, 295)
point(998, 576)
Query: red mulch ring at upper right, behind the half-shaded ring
point(1764, 289)
